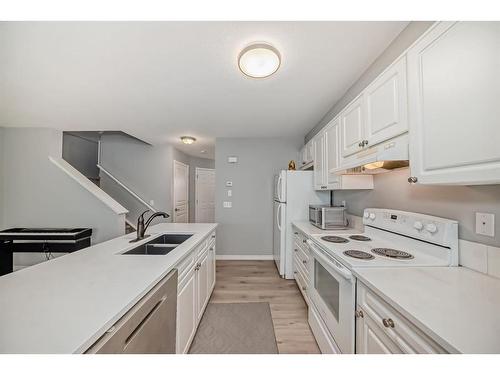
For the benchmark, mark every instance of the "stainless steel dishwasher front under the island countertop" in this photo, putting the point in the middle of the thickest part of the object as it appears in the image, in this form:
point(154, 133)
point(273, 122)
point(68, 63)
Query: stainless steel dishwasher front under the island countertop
point(148, 327)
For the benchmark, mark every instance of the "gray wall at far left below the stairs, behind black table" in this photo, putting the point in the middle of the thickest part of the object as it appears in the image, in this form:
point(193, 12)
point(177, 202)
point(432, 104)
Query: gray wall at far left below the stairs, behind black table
point(38, 194)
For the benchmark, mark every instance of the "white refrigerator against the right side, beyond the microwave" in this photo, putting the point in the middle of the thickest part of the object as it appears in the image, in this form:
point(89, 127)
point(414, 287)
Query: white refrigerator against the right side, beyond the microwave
point(293, 192)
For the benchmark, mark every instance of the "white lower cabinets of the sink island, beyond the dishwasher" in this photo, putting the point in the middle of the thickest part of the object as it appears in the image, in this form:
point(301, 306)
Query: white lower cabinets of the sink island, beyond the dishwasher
point(196, 283)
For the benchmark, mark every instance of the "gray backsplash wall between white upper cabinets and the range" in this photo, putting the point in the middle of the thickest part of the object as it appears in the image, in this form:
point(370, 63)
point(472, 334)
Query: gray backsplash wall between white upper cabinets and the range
point(392, 190)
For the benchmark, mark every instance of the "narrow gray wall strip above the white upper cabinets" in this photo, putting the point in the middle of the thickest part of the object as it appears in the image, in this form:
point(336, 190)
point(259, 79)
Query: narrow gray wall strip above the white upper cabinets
point(411, 33)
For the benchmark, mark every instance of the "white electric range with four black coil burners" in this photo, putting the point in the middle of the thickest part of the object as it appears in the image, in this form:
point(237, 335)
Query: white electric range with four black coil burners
point(391, 239)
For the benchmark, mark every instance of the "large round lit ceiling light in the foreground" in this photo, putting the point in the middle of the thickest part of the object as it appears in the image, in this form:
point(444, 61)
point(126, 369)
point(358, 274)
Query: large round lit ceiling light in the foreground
point(259, 60)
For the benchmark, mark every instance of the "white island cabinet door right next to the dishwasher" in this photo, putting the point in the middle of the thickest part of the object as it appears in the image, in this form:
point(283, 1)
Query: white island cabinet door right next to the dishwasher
point(187, 314)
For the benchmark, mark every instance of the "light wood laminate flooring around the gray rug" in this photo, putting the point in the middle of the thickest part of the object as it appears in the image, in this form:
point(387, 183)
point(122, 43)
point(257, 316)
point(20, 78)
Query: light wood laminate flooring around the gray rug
point(258, 281)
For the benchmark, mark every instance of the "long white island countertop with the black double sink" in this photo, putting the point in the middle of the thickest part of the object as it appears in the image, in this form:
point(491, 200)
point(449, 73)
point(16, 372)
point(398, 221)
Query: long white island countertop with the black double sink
point(66, 304)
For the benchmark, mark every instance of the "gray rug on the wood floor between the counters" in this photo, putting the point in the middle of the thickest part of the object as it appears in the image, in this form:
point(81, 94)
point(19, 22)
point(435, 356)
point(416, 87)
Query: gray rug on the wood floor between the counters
point(235, 328)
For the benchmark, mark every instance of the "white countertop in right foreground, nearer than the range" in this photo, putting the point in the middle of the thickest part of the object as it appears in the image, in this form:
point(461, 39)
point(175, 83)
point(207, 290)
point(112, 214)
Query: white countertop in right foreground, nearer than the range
point(457, 307)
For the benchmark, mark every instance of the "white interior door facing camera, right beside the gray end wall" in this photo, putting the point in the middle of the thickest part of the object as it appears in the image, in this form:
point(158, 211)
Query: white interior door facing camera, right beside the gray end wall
point(205, 195)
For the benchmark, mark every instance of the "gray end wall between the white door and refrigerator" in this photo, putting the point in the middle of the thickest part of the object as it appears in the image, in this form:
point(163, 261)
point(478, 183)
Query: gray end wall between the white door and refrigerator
point(247, 227)
